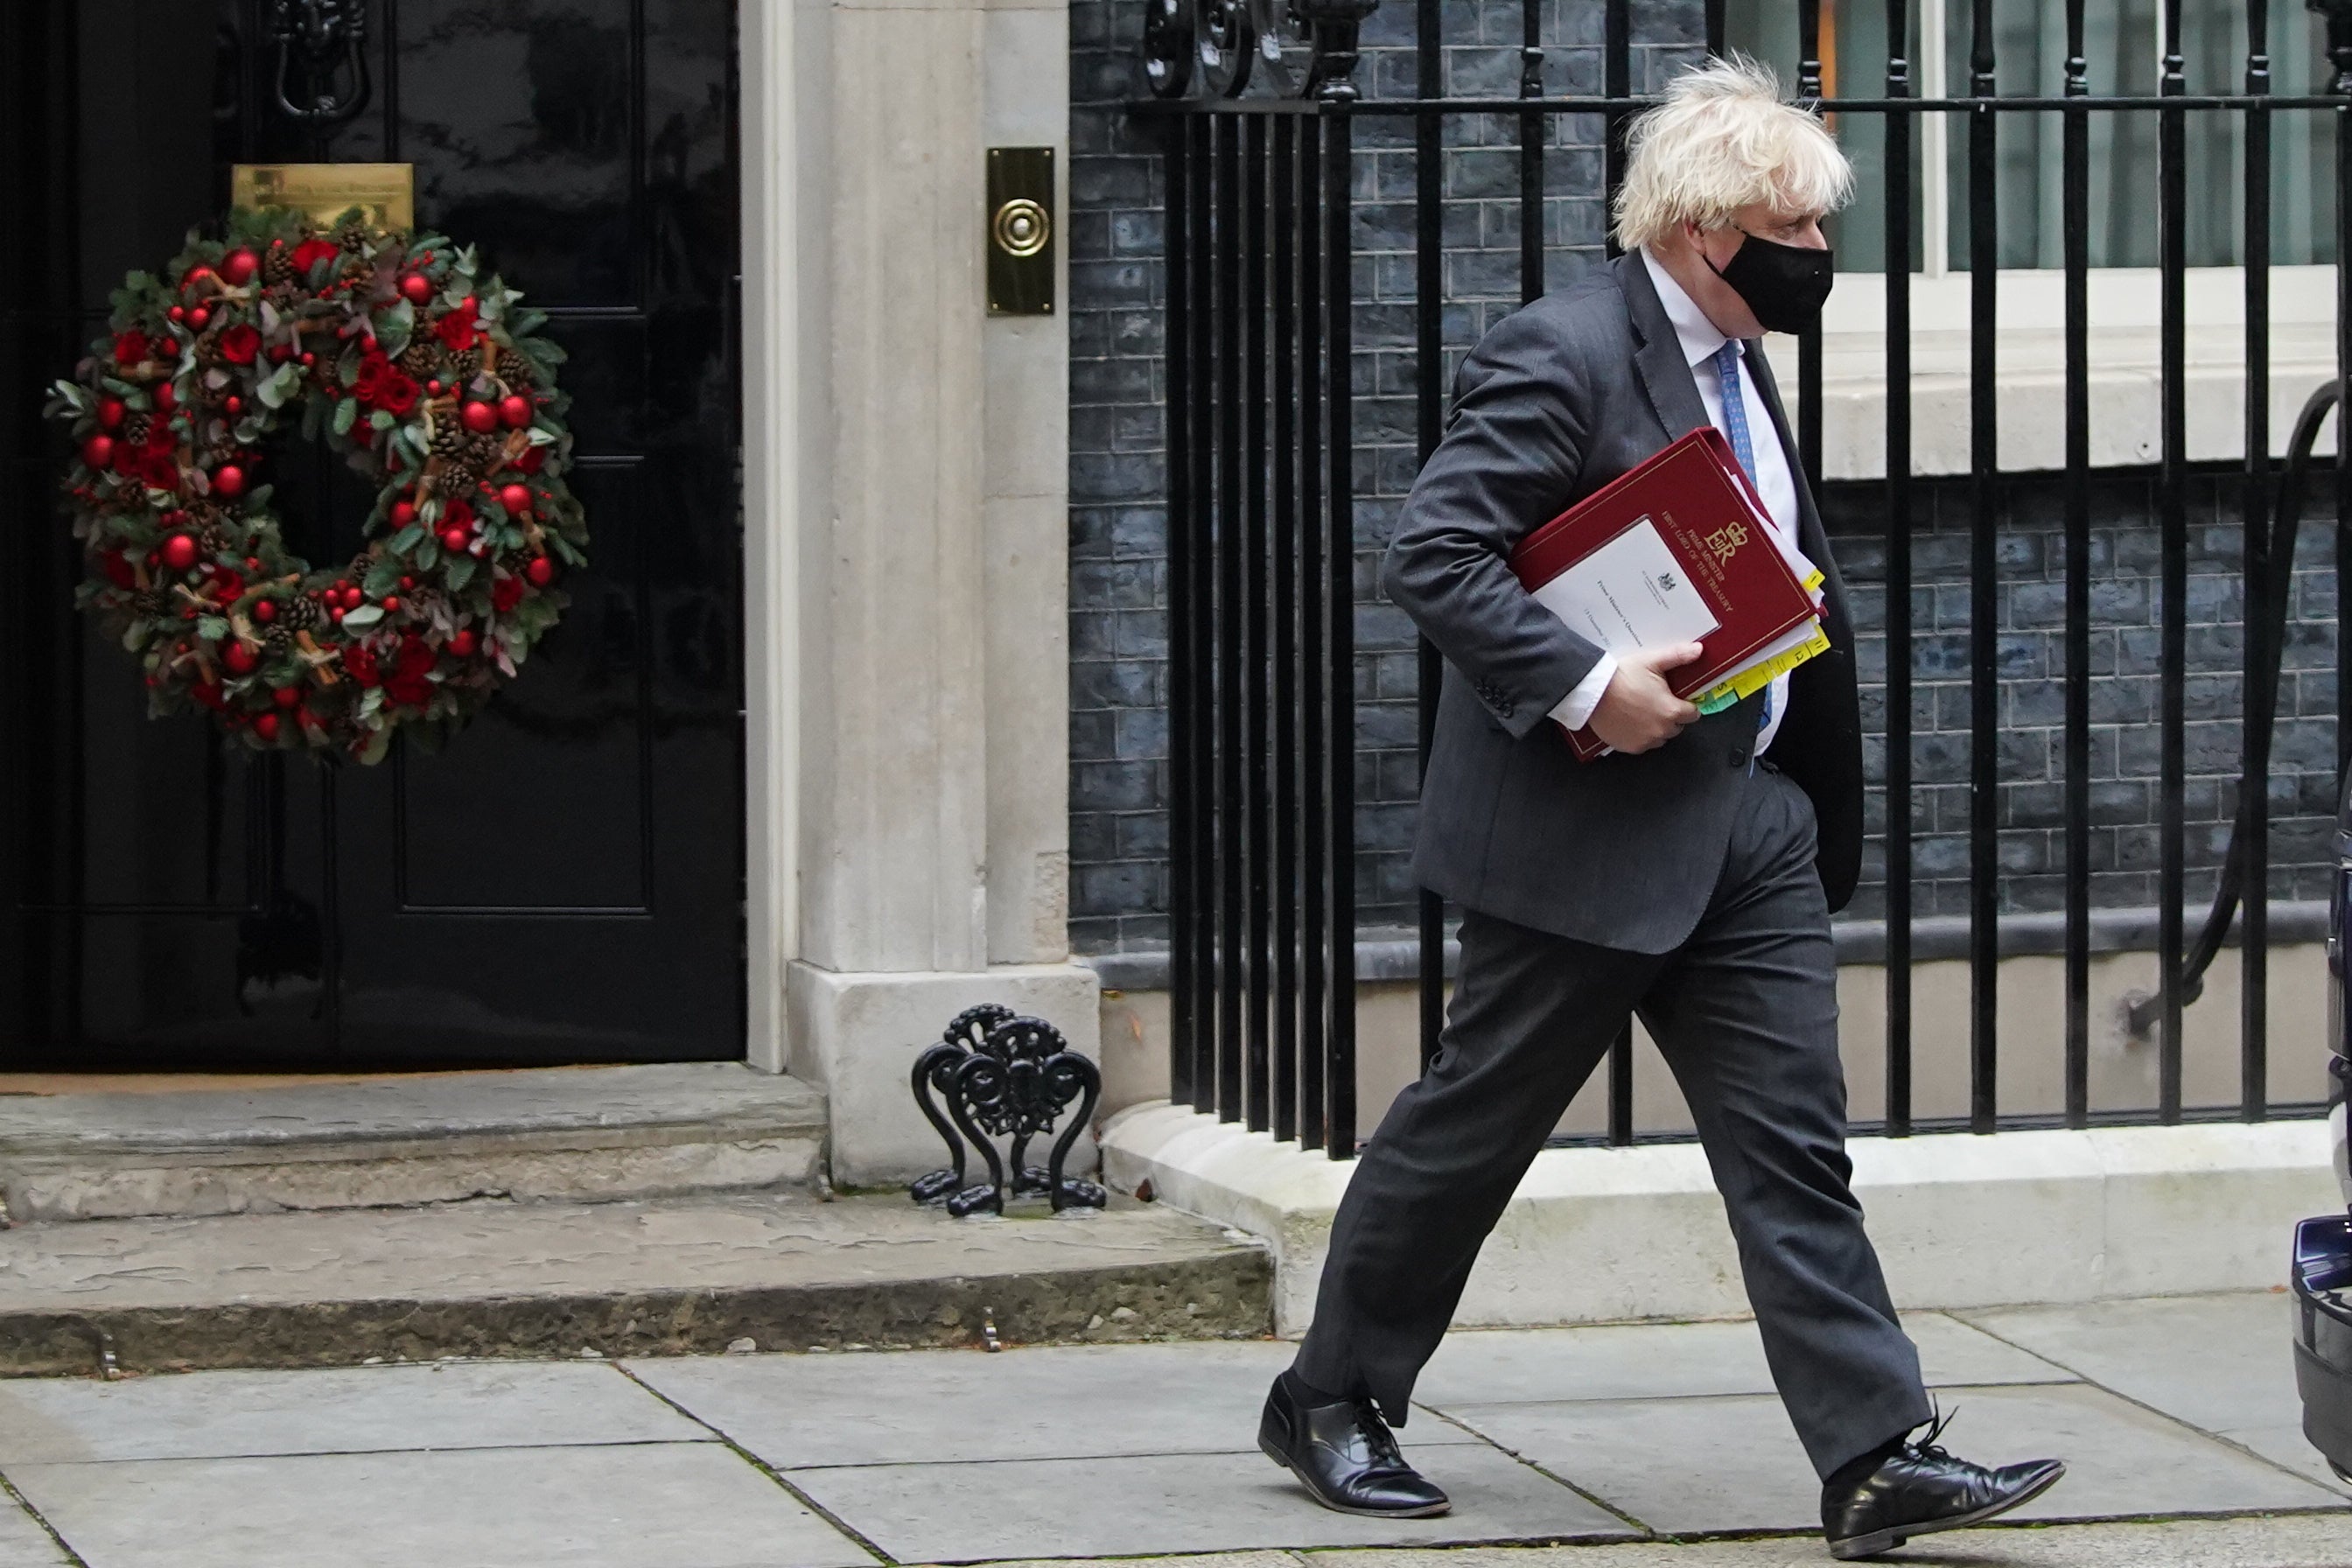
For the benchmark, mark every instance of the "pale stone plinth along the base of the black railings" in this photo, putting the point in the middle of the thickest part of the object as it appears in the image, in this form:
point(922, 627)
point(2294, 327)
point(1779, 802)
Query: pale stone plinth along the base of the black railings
point(1960, 1221)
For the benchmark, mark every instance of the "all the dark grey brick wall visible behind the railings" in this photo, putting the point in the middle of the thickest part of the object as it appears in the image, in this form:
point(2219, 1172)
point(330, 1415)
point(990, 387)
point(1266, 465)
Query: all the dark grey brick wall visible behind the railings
point(1118, 528)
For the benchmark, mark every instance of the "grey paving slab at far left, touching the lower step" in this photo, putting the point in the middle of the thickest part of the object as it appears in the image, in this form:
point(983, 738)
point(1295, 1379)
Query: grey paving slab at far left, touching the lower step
point(211, 1416)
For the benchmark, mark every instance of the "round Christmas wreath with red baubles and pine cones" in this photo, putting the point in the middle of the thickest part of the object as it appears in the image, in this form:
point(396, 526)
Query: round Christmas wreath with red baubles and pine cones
point(427, 377)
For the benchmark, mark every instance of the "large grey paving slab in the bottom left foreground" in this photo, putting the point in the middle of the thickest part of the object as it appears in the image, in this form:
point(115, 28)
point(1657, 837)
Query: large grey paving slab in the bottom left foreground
point(655, 1506)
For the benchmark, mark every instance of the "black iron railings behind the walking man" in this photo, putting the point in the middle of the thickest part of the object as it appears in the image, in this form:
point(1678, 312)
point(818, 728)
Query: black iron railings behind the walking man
point(1262, 387)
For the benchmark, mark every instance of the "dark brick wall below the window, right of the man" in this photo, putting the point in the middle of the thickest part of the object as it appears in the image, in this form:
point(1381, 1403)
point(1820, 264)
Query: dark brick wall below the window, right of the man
point(2125, 692)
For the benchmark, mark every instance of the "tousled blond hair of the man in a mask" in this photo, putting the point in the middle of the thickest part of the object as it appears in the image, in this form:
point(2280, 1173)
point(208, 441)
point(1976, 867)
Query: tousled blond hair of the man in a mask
point(1725, 140)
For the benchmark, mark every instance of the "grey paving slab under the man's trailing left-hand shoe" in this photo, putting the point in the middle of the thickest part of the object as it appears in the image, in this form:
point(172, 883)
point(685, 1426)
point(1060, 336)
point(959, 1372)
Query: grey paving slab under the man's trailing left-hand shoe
point(1172, 1503)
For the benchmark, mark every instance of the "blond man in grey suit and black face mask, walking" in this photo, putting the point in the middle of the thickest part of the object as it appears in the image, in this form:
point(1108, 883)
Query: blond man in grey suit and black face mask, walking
point(1685, 878)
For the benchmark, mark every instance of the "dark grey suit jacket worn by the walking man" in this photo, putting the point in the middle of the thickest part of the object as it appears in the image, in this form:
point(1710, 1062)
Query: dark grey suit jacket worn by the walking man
point(1624, 852)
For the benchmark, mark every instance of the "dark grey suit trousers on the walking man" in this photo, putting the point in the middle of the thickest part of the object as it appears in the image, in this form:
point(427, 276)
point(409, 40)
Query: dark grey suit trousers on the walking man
point(1746, 1014)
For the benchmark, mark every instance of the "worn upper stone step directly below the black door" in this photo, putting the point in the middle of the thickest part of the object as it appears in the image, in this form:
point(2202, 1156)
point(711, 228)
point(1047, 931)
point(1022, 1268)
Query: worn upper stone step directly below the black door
point(432, 1139)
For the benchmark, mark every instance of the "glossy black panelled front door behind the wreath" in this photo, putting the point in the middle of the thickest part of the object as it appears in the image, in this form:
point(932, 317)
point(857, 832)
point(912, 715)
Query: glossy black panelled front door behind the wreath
point(566, 880)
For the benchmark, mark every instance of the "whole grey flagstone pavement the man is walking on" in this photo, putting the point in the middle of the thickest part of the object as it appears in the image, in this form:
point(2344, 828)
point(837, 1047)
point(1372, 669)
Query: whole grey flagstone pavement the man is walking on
point(1125, 1452)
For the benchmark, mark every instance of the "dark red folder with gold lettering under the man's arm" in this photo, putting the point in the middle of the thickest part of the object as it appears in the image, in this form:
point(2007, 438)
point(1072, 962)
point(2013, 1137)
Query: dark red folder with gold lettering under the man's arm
point(1657, 554)
